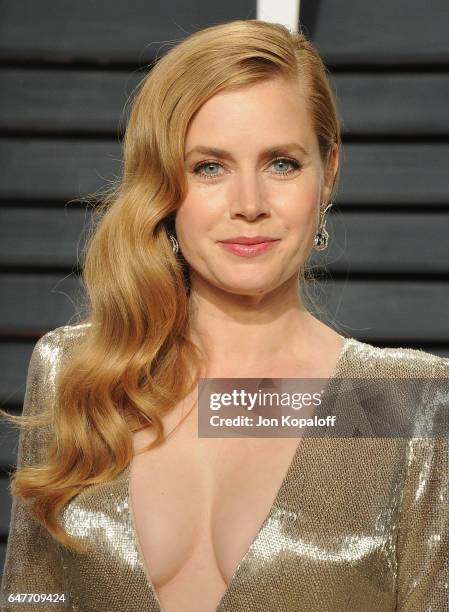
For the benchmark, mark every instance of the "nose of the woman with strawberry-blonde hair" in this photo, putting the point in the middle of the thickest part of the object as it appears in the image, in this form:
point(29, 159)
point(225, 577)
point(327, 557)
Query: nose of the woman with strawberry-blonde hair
point(248, 199)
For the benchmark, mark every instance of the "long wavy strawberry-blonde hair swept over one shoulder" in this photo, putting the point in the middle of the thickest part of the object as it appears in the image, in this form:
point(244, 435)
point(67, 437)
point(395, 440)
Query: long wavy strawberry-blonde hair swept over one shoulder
point(136, 361)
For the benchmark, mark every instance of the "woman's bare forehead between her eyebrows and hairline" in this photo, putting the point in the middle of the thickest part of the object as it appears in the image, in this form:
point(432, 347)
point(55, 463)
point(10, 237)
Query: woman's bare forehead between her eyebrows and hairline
point(253, 114)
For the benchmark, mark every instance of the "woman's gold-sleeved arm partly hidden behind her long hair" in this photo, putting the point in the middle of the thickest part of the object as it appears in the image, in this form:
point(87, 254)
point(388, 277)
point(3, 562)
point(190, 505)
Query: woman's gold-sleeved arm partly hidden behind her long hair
point(32, 563)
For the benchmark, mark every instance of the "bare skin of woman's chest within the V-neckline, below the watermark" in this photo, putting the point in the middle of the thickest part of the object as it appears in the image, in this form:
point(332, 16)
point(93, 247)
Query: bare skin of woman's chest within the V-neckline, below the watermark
point(197, 505)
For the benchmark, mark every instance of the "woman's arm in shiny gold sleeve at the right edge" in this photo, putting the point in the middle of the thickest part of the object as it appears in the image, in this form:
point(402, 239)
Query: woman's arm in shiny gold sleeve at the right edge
point(423, 539)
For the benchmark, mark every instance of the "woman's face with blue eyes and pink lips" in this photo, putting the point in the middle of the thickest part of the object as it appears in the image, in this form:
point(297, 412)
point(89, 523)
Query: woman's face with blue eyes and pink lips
point(253, 169)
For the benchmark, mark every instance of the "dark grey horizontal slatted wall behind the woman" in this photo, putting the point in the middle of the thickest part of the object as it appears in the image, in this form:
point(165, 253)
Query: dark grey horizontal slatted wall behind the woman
point(67, 74)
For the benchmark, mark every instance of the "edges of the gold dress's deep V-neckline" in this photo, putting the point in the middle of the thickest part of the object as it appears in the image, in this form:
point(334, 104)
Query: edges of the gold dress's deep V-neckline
point(275, 506)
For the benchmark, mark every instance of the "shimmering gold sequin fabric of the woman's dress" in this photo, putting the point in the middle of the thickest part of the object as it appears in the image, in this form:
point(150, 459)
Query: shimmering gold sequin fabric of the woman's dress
point(357, 525)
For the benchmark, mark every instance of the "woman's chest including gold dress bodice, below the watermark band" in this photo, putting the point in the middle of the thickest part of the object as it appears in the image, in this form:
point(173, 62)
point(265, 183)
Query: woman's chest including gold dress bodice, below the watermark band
point(334, 526)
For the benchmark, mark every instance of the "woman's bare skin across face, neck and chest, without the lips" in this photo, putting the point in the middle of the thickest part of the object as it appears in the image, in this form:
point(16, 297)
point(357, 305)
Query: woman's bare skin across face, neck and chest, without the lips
point(247, 314)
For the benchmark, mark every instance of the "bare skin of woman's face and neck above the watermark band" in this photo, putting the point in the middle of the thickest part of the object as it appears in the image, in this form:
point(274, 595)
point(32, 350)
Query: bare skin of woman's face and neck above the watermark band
point(245, 312)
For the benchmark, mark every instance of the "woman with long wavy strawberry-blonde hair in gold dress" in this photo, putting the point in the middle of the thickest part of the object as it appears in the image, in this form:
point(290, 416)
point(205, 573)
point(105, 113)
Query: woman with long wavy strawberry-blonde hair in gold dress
point(233, 141)
